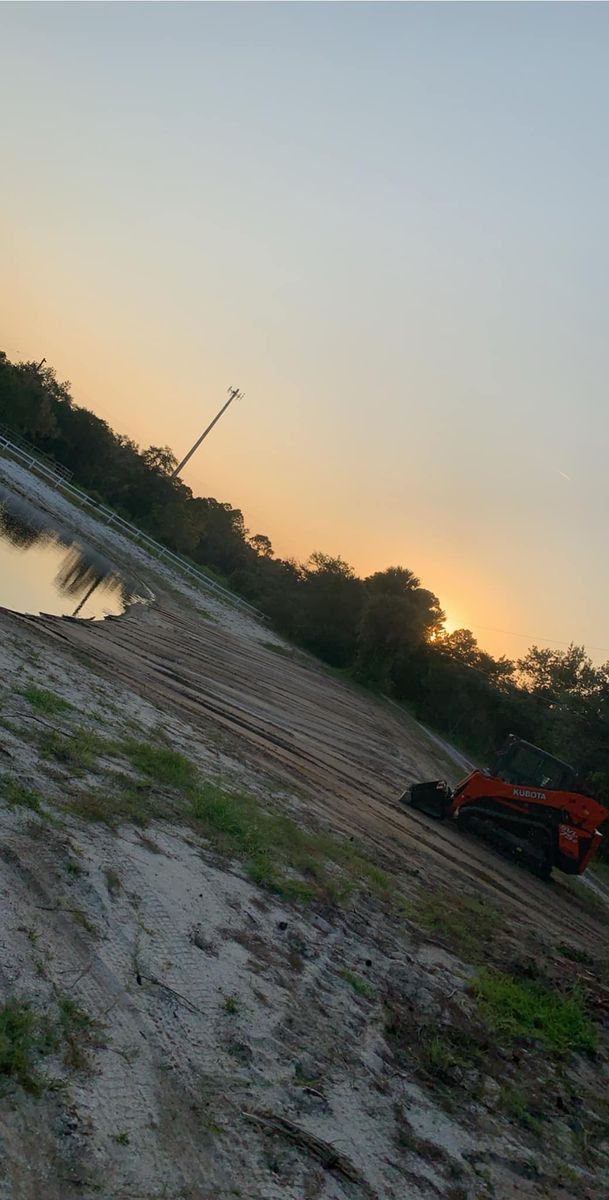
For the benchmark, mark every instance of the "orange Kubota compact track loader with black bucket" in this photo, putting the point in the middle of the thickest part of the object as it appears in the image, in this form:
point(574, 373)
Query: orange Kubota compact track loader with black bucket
point(528, 805)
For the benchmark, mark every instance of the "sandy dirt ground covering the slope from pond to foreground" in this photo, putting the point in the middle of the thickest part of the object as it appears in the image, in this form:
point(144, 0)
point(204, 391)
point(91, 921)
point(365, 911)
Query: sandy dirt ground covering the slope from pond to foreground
point(239, 1043)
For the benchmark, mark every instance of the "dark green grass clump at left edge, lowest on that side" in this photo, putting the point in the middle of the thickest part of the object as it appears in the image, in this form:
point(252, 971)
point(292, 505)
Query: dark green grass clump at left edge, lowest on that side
point(25, 1039)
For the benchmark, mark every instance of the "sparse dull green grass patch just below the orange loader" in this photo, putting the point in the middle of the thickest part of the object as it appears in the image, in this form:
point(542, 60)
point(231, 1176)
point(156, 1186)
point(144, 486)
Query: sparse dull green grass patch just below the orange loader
point(468, 925)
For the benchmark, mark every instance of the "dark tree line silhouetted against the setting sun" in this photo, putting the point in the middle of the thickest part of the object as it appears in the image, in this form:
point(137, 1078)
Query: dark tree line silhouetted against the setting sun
point(387, 632)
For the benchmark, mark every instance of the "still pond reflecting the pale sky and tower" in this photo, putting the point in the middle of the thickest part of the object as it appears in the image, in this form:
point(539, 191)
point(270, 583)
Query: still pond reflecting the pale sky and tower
point(45, 568)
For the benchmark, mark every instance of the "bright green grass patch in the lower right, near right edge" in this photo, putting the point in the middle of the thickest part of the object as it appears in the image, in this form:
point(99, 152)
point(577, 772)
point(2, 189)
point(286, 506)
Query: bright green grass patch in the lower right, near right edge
point(524, 1009)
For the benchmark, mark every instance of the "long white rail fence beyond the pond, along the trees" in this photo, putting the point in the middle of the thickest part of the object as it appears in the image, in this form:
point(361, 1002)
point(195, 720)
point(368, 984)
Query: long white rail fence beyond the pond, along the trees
point(110, 518)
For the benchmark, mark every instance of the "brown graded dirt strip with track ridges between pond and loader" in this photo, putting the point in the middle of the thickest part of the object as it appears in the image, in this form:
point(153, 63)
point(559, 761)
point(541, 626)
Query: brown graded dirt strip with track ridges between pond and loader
point(349, 755)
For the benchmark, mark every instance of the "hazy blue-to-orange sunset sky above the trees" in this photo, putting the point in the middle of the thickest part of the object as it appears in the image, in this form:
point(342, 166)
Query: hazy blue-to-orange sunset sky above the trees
point(387, 224)
